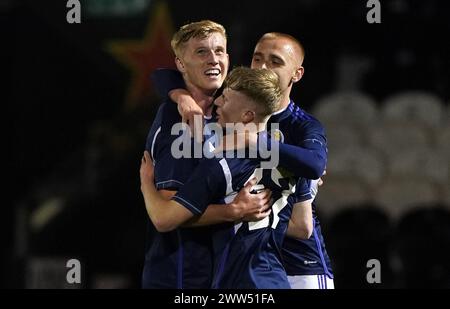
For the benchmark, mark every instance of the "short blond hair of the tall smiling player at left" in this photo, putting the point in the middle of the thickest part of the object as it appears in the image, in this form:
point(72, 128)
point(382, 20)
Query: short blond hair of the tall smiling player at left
point(201, 29)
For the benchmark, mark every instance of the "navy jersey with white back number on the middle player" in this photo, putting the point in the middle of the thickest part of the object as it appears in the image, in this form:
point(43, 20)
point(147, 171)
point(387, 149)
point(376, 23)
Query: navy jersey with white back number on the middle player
point(248, 254)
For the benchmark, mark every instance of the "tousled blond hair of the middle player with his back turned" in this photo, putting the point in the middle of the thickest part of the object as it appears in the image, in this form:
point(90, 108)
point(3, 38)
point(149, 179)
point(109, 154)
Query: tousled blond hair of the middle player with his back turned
point(262, 86)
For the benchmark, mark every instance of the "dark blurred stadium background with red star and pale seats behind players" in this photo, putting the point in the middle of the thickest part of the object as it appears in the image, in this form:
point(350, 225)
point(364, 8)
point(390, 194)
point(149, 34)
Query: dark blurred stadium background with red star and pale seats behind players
point(80, 105)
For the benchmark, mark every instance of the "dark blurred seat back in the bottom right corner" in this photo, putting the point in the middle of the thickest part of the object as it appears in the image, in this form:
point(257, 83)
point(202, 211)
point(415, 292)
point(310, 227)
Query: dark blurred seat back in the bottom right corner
point(420, 245)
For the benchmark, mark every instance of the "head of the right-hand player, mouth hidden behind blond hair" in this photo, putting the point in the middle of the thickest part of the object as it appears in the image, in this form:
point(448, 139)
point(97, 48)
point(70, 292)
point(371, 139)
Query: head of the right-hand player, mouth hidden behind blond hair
point(281, 55)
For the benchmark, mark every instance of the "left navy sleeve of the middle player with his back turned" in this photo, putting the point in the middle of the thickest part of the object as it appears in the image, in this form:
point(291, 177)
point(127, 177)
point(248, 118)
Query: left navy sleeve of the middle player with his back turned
point(206, 186)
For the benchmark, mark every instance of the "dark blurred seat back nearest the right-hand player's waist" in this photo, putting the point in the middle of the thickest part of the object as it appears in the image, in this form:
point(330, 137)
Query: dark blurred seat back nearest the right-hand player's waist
point(354, 236)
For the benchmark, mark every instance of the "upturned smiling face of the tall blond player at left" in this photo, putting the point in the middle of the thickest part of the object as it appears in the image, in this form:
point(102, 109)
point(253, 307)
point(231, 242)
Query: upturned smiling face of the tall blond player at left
point(204, 62)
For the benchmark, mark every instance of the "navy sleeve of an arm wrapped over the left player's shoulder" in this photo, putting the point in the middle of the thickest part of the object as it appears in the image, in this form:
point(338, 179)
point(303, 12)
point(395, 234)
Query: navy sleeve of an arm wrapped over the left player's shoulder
point(166, 80)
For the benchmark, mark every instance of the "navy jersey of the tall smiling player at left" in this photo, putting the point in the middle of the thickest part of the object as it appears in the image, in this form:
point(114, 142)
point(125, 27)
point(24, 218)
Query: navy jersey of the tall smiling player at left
point(181, 258)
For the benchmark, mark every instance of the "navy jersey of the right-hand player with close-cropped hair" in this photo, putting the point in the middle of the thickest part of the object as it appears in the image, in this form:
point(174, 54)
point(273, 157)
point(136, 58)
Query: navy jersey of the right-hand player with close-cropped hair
point(304, 257)
